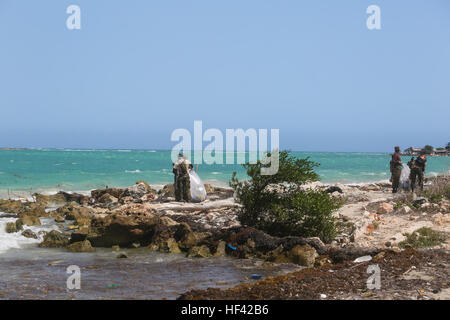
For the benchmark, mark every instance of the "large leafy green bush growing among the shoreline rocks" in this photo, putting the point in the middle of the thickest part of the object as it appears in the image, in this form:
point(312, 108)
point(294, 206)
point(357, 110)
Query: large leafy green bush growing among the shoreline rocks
point(278, 205)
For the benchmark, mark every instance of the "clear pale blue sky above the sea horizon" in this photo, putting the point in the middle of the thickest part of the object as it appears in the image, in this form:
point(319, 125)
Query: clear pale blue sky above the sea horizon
point(137, 70)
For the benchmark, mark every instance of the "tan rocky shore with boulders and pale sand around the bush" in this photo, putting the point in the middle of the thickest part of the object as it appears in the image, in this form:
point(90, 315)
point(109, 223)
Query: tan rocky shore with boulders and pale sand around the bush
point(371, 222)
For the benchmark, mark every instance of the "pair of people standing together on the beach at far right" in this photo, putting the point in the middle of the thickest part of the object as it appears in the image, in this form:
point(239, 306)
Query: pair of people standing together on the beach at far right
point(417, 170)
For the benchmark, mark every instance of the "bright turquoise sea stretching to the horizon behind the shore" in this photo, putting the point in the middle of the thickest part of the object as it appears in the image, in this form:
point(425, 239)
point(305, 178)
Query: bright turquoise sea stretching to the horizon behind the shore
point(81, 170)
